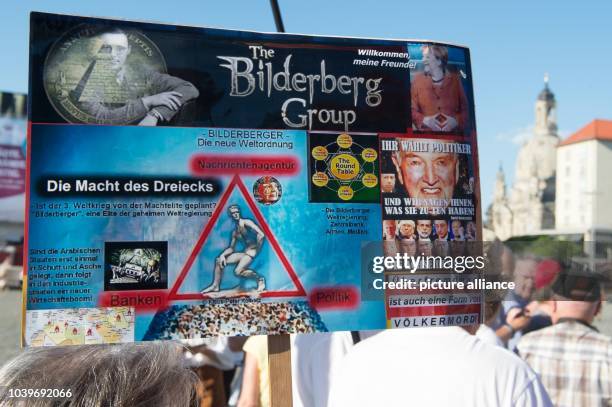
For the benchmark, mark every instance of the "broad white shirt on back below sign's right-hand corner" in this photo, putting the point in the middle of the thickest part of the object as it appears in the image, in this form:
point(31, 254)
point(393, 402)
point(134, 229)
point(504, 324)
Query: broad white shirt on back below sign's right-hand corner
point(443, 366)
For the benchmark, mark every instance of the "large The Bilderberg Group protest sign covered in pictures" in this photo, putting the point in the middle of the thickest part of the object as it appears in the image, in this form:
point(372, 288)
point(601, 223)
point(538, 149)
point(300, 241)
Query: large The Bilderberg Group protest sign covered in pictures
point(188, 182)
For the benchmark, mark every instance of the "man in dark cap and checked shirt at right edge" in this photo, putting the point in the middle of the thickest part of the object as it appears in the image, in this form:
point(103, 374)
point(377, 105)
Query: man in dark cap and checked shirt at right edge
point(573, 360)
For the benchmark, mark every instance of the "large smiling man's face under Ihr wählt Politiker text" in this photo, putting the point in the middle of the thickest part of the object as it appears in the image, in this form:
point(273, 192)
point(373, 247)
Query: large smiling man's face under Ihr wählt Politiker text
point(427, 174)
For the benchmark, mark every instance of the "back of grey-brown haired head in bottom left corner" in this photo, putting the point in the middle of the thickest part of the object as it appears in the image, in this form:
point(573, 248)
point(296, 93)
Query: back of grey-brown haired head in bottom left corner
point(139, 374)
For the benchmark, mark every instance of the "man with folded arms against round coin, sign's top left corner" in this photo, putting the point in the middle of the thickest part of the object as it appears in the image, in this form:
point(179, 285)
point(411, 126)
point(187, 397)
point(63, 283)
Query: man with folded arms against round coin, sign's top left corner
point(112, 76)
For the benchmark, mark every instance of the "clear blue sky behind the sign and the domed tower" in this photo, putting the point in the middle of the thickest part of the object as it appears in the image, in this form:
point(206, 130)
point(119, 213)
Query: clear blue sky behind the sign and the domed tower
point(512, 44)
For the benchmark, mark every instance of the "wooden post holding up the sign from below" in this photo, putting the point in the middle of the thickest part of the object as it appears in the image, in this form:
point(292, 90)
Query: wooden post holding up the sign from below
point(279, 362)
